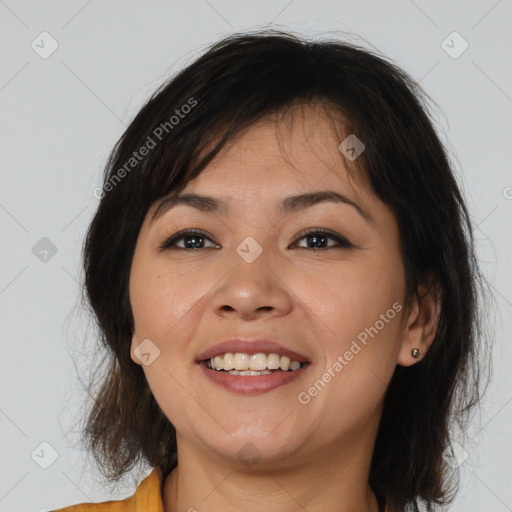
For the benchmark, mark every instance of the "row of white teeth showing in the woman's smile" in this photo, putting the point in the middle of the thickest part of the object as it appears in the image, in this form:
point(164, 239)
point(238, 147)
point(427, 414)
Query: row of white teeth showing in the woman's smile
point(255, 364)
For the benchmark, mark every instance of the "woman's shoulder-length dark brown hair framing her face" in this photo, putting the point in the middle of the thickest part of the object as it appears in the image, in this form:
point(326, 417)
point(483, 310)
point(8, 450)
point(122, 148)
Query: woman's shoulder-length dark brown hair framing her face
point(236, 82)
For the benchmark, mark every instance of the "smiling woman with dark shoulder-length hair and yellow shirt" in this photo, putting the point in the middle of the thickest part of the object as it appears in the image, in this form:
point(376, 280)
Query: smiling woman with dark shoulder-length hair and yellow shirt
point(283, 272)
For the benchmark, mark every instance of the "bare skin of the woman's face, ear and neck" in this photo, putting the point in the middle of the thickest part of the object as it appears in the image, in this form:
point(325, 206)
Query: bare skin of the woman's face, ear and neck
point(315, 455)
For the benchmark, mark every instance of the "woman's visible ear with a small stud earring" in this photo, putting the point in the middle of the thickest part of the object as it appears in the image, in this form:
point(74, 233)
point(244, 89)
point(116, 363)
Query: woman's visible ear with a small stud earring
point(422, 322)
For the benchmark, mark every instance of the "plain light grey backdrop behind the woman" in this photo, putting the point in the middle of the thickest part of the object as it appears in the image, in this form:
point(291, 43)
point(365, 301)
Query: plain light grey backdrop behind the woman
point(73, 75)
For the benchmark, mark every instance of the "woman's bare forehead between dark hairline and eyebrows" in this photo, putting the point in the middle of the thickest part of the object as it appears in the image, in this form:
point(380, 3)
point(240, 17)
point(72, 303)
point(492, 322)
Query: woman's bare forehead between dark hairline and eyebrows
point(296, 150)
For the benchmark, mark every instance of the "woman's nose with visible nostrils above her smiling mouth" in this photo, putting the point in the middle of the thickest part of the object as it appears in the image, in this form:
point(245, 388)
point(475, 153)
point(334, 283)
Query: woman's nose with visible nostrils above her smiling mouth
point(252, 290)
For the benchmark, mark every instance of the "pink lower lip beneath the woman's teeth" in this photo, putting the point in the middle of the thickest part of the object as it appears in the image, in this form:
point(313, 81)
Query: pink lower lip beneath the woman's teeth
point(252, 384)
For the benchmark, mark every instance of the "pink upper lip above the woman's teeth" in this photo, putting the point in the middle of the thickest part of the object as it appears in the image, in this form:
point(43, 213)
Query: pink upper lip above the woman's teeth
point(248, 346)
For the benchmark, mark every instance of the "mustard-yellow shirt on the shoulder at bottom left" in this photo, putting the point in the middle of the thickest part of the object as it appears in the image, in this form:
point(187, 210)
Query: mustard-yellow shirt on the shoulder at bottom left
point(147, 498)
